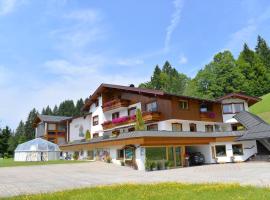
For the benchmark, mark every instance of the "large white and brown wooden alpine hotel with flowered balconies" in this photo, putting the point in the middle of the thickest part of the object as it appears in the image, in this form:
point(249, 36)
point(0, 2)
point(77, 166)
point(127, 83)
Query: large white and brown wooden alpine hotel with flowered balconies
point(175, 126)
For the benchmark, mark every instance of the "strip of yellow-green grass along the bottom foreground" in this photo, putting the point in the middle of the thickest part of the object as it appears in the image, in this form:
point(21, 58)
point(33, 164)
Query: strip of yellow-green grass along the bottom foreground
point(157, 191)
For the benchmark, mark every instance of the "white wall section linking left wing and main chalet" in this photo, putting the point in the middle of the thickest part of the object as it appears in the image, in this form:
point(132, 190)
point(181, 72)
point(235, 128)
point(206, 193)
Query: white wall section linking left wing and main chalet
point(76, 124)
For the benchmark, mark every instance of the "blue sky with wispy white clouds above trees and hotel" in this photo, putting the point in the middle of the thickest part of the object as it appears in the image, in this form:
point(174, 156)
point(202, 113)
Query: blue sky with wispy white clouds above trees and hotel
point(54, 50)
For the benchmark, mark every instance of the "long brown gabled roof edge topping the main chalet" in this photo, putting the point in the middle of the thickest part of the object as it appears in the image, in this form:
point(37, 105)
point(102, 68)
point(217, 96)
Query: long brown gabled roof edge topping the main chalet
point(145, 91)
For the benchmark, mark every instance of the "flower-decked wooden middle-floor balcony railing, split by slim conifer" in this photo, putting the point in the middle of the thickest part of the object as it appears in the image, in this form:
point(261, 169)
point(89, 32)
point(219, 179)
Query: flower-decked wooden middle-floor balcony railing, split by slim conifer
point(147, 117)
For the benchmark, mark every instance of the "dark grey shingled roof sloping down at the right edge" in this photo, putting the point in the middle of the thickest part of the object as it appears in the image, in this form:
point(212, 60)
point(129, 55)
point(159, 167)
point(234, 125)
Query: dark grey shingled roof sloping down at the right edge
point(256, 127)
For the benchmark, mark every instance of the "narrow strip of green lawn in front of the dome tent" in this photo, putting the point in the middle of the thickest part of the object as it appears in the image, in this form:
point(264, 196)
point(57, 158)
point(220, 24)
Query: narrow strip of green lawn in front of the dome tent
point(11, 163)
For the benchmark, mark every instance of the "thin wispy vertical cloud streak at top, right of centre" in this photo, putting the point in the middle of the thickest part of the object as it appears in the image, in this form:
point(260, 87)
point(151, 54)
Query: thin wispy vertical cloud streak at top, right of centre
point(175, 18)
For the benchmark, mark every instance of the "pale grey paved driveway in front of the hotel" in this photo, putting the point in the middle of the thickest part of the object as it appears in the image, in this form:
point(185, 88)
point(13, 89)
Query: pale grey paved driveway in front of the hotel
point(49, 178)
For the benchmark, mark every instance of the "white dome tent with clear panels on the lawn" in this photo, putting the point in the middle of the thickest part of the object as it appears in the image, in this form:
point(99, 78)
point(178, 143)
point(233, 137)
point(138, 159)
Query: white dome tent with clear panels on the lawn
point(37, 150)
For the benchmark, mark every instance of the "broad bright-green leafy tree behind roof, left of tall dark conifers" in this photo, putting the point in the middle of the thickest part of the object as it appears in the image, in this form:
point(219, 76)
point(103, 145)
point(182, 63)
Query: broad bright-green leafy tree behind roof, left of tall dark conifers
point(221, 76)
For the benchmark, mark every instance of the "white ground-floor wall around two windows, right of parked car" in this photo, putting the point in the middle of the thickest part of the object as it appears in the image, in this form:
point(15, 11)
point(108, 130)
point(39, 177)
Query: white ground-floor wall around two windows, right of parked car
point(249, 149)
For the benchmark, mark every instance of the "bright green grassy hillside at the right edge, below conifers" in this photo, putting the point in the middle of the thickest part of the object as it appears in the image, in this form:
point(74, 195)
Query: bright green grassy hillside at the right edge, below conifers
point(262, 108)
